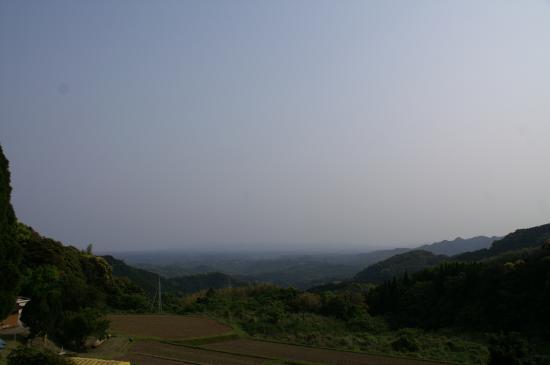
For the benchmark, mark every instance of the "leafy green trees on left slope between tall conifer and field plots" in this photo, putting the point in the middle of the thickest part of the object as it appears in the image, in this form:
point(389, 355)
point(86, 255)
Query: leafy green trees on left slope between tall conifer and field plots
point(69, 290)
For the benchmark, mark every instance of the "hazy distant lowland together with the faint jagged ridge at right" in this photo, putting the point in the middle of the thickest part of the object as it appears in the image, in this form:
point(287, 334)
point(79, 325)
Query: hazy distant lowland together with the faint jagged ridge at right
point(300, 271)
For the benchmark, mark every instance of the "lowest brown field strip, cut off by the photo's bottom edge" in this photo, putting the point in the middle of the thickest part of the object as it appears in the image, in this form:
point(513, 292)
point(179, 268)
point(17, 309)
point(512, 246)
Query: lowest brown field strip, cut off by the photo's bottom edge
point(190, 354)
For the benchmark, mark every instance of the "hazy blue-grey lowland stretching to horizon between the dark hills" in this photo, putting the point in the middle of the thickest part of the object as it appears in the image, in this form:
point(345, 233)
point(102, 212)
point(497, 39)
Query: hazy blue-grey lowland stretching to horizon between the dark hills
point(297, 270)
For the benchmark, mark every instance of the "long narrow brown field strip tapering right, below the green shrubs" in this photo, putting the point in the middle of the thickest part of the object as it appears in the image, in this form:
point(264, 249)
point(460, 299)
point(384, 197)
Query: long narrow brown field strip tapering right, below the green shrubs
point(299, 353)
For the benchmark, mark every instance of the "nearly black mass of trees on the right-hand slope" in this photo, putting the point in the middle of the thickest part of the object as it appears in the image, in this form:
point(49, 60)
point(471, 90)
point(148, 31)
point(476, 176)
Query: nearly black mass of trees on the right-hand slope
point(488, 296)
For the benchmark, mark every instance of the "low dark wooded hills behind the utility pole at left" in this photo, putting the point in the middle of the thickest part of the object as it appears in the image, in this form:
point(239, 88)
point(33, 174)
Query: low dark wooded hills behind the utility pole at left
point(148, 281)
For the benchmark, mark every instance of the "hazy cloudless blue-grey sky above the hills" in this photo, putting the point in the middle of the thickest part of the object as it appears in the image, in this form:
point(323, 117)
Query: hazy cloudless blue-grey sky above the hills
point(275, 124)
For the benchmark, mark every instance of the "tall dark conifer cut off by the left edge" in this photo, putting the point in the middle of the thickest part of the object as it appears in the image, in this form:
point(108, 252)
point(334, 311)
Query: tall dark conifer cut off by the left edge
point(10, 253)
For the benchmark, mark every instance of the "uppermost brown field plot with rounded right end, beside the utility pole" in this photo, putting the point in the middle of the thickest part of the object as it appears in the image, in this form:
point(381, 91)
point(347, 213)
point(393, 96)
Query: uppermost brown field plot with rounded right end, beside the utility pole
point(166, 326)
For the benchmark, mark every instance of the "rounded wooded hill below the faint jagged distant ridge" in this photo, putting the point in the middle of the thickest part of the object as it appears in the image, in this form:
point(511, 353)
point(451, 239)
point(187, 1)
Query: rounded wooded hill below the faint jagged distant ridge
point(397, 265)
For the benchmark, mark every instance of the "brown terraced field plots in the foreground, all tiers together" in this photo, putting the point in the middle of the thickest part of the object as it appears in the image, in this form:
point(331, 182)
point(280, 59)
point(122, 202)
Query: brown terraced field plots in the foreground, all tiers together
point(172, 340)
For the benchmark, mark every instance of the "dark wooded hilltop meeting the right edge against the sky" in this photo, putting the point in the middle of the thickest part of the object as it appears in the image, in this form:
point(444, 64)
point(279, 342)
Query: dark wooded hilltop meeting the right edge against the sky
point(517, 240)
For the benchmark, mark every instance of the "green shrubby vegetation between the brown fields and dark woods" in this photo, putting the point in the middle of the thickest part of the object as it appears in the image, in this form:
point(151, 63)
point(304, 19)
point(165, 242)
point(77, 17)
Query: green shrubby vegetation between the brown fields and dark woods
point(334, 320)
